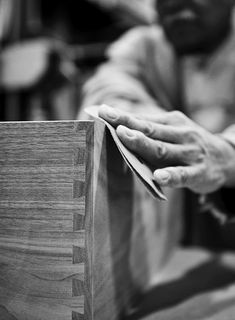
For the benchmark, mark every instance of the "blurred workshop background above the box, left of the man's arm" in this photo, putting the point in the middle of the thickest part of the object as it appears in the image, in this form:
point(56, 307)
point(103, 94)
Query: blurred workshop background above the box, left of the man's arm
point(49, 48)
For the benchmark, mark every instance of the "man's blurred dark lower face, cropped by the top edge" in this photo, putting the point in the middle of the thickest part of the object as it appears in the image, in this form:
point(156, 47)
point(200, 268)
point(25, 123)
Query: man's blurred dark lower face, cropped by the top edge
point(194, 26)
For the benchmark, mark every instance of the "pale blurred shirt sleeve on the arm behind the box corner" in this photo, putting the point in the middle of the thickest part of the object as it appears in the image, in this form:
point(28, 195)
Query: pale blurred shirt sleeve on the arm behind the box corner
point(120, 82)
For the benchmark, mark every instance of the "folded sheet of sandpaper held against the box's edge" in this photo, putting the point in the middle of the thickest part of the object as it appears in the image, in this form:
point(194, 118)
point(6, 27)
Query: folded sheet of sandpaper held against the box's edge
point(143, 172)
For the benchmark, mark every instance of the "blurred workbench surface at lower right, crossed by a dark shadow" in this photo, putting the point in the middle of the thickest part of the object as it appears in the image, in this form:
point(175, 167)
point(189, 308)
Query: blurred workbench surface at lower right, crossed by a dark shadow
point(195, 285)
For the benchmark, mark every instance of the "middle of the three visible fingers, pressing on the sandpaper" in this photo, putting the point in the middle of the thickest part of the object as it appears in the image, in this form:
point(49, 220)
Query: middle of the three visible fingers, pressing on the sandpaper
point(156, 152)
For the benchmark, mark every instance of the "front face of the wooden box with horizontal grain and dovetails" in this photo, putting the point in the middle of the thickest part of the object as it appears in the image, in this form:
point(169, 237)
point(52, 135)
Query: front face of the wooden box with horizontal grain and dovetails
point(43, 193)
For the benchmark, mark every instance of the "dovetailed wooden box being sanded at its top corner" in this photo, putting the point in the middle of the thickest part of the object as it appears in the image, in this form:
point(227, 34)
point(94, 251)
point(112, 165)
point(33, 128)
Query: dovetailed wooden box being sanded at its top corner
point(76, 241)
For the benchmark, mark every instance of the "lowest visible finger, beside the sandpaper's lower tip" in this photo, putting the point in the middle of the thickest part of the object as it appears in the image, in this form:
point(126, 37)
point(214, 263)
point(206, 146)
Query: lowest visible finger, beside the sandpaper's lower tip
point(179, 177)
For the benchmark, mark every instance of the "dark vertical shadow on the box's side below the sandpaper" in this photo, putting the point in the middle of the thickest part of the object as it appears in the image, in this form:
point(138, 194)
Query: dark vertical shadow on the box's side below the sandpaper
point(120, 194)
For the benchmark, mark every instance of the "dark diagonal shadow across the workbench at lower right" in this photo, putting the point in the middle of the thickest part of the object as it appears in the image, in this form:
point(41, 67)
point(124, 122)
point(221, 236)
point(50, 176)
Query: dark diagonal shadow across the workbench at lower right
point(209, 276)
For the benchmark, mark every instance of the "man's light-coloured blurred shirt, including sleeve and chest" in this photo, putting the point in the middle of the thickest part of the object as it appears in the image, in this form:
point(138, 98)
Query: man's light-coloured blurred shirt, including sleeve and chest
point(143, 74)
